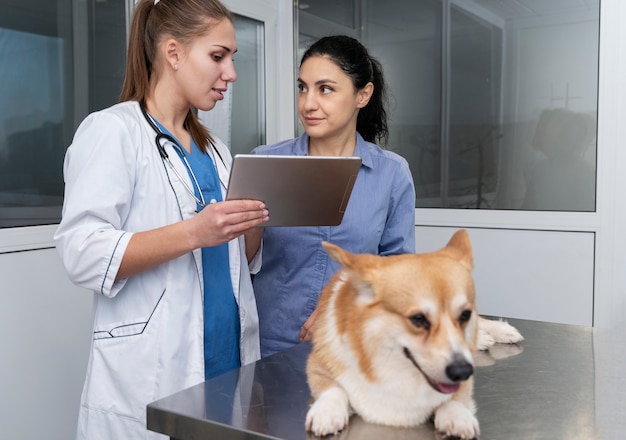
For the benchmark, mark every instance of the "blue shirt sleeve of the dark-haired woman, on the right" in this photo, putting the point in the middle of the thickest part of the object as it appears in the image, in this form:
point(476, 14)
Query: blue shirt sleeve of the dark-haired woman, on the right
point(399, 234)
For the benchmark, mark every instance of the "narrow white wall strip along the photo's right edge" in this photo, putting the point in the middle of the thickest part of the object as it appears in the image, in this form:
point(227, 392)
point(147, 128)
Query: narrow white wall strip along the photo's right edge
point(610, 268)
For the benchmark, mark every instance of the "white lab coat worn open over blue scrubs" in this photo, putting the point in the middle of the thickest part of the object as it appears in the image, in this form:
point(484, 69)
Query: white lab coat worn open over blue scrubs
point(148, 329)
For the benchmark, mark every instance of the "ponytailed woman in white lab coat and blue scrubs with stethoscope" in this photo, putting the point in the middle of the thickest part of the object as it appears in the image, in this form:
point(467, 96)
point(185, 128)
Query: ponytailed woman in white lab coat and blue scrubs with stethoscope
point(144, 226)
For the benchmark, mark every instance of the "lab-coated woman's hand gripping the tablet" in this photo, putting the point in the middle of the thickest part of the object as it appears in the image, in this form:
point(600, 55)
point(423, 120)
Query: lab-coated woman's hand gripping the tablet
point(221, 222)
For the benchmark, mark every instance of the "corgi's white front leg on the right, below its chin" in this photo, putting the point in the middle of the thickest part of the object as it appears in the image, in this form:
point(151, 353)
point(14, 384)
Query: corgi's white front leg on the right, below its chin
point(456, 417)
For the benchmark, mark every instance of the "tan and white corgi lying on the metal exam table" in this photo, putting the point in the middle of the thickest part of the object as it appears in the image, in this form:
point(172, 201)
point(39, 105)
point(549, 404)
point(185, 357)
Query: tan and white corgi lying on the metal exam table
point(394, 341)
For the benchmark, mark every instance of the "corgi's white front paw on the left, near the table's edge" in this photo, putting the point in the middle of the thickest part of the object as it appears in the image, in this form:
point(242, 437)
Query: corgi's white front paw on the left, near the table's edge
point(329, 413)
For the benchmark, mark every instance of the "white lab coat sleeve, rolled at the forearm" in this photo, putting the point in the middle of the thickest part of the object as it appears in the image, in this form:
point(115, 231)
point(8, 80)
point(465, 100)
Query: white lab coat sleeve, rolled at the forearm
point(99, 171)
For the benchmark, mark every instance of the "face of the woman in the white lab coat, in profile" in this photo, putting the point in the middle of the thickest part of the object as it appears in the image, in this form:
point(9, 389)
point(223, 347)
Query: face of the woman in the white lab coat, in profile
point(207, 66)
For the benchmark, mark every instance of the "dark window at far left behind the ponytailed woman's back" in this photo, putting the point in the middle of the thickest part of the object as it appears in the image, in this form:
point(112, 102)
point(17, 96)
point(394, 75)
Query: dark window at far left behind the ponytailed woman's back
point(42, 99)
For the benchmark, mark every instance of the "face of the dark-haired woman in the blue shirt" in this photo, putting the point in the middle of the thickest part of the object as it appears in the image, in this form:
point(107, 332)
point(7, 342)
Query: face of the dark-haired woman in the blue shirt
point(328, 104)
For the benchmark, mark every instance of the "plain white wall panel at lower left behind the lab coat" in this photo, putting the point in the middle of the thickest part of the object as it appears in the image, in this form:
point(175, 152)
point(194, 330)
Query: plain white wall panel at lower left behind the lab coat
point(45, 328)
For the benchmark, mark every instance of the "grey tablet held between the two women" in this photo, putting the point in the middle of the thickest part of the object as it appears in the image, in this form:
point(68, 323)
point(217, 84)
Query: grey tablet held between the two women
point(297, 190)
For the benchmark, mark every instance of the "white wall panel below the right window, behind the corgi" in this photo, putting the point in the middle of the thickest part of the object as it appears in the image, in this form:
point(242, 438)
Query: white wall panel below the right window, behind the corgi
point(524, 274)
